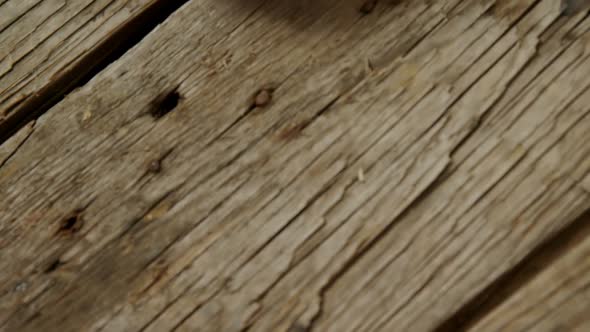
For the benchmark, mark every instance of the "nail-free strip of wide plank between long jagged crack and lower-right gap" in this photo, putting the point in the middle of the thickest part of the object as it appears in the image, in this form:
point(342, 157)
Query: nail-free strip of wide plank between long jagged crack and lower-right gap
point(515, 181)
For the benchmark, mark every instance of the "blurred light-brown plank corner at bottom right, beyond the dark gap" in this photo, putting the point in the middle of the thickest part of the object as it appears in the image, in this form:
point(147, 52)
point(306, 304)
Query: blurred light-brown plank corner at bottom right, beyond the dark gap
point(555, 300)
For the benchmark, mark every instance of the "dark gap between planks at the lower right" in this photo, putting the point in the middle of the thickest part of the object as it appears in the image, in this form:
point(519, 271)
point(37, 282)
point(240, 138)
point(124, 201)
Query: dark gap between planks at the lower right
point(541, 258)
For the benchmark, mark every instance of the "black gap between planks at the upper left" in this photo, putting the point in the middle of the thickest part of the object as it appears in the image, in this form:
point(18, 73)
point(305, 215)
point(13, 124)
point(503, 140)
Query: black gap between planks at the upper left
point(109, 50)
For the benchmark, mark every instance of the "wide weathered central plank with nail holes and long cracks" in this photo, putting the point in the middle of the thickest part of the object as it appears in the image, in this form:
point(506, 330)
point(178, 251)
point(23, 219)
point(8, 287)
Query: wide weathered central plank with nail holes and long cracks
point(394, 165)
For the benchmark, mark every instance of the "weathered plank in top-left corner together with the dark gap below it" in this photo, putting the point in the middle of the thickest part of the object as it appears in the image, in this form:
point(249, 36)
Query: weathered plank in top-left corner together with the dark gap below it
point(47, 46)
